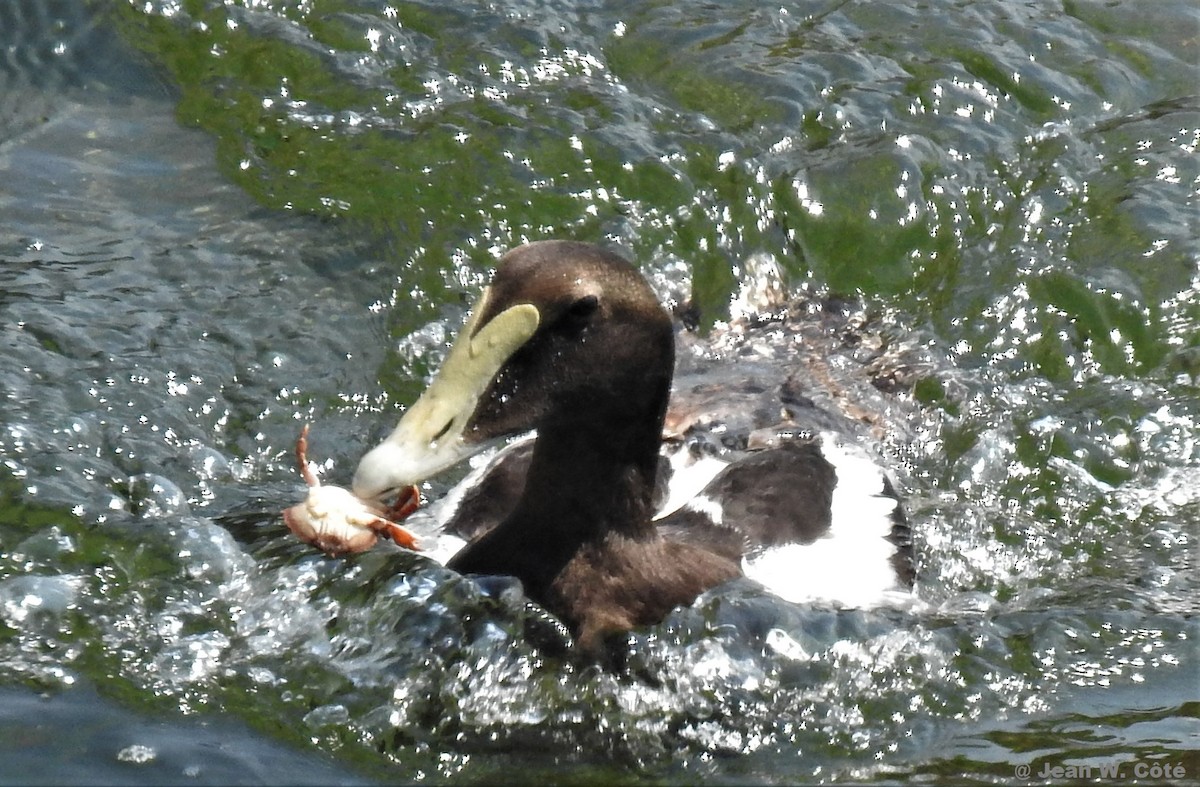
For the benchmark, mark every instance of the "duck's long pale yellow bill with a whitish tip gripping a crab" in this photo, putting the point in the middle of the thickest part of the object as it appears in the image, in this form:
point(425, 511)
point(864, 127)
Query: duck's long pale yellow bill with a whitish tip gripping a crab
point(431, 436)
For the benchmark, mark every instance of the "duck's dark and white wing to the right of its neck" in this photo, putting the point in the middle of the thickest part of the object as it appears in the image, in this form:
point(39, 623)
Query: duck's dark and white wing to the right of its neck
point(812, 520)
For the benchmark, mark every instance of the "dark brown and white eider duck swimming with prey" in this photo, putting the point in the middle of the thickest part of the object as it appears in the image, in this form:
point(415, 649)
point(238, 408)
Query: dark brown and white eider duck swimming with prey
point(571, 345)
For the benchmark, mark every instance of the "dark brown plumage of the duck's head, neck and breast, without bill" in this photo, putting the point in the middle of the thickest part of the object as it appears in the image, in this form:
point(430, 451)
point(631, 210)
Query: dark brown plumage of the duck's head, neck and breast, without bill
point(595, 382)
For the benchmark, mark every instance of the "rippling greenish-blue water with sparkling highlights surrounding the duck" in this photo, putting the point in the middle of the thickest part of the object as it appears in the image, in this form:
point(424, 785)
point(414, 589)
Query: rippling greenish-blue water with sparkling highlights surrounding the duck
point(220, 221)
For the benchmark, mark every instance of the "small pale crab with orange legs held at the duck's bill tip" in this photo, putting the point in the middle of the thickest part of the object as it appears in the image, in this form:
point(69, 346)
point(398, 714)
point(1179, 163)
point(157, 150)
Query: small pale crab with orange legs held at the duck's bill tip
point(337, 522)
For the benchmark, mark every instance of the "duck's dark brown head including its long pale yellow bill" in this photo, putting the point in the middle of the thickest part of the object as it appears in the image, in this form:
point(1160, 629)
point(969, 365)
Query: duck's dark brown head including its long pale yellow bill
point(567, 340)
